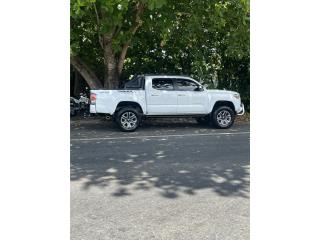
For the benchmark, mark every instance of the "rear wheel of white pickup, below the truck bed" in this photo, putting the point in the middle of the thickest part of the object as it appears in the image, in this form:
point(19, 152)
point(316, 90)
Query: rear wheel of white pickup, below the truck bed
point(128, 119)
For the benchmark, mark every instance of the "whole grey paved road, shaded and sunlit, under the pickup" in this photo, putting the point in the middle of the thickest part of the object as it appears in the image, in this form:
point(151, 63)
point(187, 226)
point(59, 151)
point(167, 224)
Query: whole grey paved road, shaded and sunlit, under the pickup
point(164, 181)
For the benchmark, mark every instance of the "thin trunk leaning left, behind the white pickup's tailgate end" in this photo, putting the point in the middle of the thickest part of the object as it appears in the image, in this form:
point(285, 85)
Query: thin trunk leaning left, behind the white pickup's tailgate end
point(88, 75)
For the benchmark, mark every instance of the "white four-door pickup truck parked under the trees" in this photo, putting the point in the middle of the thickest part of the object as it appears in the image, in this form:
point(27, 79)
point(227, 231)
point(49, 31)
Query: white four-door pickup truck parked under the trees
point(166, 96)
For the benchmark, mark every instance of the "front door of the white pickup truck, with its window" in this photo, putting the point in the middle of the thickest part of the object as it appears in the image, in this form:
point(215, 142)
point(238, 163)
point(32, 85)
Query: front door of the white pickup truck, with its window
point(190, 101)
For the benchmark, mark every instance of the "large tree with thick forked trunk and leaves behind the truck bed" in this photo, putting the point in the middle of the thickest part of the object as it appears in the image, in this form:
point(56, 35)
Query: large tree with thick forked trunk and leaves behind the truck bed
point(107, 26)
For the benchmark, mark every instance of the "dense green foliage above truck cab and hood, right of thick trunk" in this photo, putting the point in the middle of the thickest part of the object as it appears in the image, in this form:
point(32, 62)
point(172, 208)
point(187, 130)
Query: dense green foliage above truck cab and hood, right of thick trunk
point(208, 40)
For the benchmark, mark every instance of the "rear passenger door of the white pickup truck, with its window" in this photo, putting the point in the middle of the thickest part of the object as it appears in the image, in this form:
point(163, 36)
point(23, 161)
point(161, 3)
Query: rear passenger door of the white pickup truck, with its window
point(161, 97)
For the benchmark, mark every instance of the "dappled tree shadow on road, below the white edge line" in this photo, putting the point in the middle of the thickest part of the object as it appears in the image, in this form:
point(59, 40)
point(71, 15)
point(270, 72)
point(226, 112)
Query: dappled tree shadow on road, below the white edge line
point(174, 167)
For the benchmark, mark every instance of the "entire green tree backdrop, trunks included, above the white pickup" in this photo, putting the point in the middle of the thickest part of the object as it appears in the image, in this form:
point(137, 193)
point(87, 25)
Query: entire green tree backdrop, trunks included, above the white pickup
point(207, 39)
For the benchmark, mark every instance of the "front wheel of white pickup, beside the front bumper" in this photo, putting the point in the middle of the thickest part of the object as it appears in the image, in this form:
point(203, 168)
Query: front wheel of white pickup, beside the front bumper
point(223, 117)
